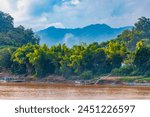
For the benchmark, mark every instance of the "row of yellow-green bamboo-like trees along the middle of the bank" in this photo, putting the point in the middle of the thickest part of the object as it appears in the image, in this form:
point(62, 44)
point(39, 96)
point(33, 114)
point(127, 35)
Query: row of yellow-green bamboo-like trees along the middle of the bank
point(83, 61)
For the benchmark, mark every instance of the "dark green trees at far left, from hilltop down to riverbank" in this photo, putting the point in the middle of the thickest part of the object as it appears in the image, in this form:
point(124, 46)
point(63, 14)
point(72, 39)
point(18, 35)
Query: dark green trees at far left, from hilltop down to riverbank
point(10, 39)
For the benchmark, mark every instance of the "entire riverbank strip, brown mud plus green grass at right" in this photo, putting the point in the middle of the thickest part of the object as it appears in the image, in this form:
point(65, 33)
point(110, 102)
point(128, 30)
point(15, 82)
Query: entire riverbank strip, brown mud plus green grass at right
point(105, 80)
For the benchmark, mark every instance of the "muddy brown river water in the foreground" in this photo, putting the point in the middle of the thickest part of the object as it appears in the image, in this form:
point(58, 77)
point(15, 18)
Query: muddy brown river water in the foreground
point(45, 91)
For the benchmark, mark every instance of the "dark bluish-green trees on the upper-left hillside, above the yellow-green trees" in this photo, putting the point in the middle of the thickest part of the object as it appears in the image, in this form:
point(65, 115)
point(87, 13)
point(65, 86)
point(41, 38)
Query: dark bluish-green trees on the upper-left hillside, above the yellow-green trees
point(11, 36)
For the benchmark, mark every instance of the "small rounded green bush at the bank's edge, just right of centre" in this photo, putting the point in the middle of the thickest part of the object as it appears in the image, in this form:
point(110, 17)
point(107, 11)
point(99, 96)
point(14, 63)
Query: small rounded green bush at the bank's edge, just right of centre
point(86, 75)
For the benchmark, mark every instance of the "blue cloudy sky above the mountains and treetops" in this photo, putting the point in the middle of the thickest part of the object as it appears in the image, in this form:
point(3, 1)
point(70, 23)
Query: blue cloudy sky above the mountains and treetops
point(40, 14)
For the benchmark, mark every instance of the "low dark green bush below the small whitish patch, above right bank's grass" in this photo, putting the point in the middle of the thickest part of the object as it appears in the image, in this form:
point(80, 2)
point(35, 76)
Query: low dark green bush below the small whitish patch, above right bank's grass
point(124, 71)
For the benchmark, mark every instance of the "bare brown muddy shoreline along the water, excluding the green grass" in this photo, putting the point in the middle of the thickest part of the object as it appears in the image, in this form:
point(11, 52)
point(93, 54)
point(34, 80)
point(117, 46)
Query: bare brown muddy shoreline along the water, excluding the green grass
point(111, 80)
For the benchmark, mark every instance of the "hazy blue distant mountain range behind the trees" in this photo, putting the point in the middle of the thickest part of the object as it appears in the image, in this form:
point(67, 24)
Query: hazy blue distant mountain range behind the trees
point(92, 33)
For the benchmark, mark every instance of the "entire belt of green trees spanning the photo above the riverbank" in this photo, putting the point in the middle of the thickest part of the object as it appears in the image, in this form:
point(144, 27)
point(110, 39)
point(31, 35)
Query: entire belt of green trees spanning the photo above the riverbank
point(128, 54)
